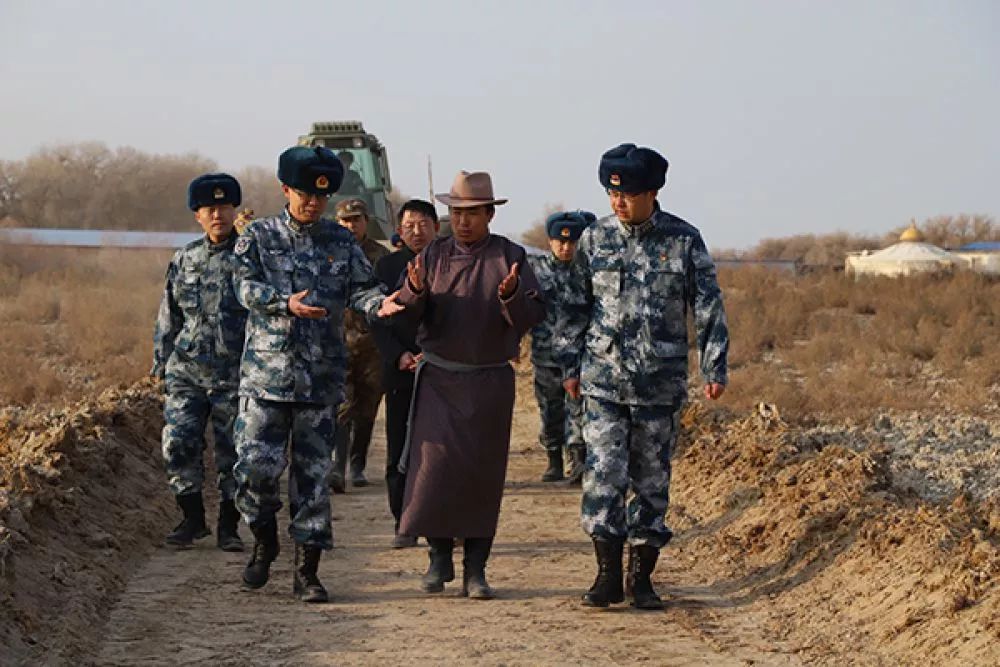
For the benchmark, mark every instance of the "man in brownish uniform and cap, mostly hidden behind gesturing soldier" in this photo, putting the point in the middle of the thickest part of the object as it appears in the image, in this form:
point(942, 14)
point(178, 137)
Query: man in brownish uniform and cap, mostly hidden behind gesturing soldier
point(356, 416)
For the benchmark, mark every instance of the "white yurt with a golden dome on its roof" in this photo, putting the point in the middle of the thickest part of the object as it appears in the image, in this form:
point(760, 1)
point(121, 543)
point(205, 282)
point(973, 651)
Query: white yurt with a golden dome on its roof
point(911, 255)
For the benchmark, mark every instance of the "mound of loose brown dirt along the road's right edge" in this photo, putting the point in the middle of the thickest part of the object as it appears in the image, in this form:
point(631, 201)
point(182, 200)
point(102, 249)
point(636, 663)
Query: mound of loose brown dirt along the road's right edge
point(849, 563)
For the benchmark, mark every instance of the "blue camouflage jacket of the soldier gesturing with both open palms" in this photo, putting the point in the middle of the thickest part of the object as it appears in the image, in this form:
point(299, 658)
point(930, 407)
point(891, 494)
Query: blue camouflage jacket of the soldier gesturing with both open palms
point(288, 358)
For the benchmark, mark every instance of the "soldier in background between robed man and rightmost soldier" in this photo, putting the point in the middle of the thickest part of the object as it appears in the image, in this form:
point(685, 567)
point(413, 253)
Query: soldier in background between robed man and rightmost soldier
point(561, 414)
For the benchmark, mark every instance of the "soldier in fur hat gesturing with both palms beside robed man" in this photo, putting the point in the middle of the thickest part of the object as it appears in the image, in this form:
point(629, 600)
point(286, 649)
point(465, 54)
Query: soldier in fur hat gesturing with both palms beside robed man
point(297, 273)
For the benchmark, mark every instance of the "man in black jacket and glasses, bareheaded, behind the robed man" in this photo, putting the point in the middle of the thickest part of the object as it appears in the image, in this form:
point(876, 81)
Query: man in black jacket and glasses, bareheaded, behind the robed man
point(396, 339)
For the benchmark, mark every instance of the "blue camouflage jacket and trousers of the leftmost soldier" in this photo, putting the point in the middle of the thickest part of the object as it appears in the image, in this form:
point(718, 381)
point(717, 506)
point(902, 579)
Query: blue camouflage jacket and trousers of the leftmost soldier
point(197, 345)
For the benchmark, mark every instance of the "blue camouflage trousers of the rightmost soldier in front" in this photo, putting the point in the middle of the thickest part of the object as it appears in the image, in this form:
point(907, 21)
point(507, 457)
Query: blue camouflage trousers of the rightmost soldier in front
point(628, 458)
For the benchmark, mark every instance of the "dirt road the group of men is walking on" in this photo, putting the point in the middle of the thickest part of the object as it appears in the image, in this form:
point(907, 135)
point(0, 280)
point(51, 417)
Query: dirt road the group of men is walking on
point(185, 608)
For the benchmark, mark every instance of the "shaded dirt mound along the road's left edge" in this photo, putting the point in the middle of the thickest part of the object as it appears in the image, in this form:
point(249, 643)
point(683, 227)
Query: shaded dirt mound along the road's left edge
point(80, 506)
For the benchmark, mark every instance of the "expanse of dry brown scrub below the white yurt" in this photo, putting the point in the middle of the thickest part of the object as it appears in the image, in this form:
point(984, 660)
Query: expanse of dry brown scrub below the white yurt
point(820, 343)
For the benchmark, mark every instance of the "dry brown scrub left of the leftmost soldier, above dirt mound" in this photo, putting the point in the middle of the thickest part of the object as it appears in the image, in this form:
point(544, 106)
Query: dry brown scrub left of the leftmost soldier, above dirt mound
point(75, 321)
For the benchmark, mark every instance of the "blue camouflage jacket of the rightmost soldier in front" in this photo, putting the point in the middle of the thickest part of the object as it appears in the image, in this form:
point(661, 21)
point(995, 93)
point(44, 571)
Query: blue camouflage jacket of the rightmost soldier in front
point(629, 342)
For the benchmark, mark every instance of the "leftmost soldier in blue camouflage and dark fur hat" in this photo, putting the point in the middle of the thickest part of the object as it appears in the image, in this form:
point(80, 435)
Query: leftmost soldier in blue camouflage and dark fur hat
point(196, 352)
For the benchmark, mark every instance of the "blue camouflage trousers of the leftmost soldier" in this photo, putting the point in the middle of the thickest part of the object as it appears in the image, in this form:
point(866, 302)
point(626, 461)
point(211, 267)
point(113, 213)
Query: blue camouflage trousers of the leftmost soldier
point(187, 410)
